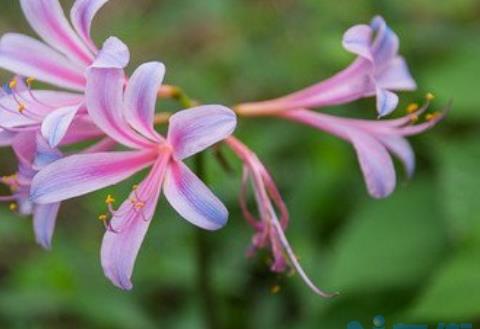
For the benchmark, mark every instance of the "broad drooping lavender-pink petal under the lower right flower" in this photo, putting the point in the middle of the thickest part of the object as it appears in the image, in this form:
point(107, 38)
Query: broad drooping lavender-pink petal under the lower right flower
point(375, 162)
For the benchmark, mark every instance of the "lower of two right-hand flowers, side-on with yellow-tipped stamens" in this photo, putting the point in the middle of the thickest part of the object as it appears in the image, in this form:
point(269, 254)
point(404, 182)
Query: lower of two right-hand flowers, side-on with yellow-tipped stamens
point(374, 142)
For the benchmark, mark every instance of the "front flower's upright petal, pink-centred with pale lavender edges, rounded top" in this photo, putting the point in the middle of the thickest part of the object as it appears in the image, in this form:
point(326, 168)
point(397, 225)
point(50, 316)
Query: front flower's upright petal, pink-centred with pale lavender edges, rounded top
point(141, 97)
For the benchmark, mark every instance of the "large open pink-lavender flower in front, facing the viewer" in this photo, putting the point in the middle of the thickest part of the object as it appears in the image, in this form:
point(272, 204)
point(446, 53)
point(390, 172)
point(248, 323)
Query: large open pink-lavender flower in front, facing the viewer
point(126, 114)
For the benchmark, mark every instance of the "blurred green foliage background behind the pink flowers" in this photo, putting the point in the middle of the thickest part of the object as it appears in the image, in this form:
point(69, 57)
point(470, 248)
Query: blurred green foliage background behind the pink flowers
point(414, 257)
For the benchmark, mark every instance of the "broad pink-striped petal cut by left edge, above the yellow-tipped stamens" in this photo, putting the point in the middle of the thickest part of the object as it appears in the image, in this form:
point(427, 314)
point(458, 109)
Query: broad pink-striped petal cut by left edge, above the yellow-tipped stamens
point(28, 57)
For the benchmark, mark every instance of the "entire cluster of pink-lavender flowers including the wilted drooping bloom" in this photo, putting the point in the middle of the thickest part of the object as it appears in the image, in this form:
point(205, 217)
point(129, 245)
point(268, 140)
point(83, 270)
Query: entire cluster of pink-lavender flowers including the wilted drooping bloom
point(96, 103)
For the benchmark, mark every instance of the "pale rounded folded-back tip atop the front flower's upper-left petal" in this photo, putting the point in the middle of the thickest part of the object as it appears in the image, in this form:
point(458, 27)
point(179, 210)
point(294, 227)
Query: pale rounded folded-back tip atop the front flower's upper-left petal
point(113, 55)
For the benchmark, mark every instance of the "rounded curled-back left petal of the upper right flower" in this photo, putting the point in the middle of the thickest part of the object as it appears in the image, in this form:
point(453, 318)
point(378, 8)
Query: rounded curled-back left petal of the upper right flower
point(358, 40)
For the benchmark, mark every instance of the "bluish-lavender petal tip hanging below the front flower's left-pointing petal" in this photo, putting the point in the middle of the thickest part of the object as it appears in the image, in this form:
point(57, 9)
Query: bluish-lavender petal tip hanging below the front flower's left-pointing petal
point(44, 218)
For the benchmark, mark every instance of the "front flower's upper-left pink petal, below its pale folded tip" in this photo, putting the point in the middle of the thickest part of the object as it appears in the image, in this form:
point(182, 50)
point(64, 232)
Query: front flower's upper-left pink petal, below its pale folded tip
point(104, 98)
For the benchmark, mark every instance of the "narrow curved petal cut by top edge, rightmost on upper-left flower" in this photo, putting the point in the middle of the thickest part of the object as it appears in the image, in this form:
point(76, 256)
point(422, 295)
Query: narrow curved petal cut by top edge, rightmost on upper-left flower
point(82, 15)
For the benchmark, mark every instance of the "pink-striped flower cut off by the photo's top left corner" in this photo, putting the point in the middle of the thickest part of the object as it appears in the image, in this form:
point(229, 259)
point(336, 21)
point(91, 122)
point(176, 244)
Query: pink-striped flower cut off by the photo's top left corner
point(60, 60)
